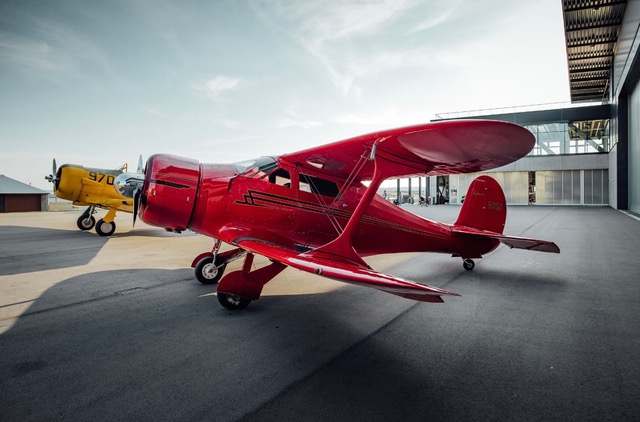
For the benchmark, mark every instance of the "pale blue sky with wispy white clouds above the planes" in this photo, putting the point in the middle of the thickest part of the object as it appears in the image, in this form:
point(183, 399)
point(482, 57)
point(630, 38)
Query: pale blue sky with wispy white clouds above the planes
point(99, 83)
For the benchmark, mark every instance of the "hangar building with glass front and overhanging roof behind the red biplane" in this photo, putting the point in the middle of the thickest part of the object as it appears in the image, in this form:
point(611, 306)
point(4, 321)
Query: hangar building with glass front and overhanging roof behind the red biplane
point(587, 152)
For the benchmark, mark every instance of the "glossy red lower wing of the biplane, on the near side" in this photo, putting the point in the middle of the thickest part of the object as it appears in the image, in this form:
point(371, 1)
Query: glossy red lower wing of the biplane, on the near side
point(347, 272)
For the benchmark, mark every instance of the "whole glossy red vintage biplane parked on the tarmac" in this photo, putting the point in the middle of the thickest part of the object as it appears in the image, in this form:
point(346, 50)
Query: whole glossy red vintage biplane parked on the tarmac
point(310, 210)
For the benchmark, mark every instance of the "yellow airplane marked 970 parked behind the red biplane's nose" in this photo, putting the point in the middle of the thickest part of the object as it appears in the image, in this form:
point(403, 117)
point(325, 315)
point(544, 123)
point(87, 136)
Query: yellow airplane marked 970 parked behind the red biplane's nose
point(95, 188)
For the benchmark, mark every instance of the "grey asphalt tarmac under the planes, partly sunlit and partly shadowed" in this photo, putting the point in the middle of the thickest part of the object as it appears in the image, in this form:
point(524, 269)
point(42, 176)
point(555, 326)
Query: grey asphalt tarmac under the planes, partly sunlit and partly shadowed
point(119, 329)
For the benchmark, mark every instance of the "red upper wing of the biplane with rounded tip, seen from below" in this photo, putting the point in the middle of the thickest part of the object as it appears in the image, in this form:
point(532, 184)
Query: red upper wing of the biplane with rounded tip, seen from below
point(448, 147)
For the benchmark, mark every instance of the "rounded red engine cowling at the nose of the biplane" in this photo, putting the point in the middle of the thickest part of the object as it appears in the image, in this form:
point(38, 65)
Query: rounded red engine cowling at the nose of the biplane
point(169, 191)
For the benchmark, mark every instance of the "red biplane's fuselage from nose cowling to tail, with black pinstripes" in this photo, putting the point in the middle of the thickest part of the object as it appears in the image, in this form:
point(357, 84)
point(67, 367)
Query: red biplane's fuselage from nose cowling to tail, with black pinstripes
point(273, 201)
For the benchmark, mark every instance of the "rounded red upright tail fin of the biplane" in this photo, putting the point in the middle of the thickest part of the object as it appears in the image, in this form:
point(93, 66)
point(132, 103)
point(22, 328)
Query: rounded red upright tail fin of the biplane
point(484, 207)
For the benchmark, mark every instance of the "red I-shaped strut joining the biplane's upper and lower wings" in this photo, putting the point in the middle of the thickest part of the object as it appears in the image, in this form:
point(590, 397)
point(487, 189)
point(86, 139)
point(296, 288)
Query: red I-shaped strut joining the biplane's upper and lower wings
point(341, 248)
